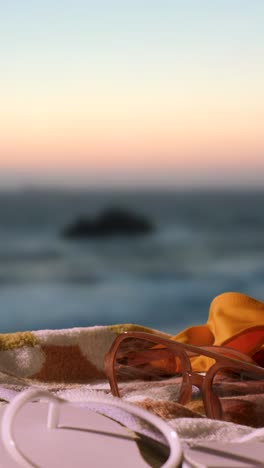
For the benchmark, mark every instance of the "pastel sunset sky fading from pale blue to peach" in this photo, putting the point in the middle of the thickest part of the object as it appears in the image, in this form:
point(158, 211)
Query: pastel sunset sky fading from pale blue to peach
point(132, 93)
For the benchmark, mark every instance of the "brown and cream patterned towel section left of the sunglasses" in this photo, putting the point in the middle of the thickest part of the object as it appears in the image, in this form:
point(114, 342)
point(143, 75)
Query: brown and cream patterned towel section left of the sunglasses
point(58, 360)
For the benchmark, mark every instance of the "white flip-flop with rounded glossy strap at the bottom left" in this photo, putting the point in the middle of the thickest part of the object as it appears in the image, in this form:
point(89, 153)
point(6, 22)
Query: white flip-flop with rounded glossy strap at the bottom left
point(56, 433)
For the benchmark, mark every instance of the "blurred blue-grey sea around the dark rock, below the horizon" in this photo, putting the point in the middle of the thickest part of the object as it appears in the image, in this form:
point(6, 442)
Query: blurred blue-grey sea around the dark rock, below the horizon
point(205, 243)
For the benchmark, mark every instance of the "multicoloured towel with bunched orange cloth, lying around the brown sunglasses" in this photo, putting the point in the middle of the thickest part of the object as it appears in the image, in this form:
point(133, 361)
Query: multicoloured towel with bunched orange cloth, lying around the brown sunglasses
point(70, 363)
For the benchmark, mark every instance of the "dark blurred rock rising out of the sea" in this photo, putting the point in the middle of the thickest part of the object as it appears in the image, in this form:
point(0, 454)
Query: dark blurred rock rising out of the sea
point(112, 222)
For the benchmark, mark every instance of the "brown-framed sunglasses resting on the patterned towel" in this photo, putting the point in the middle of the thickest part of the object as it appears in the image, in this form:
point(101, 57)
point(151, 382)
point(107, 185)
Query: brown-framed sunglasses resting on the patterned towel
point(141, 364)
